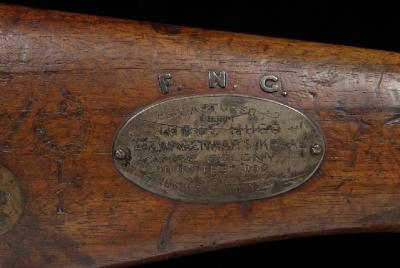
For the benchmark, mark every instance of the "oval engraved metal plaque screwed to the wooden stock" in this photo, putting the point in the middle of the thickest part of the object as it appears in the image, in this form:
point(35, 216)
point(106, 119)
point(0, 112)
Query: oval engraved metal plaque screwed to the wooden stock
point(218, 148)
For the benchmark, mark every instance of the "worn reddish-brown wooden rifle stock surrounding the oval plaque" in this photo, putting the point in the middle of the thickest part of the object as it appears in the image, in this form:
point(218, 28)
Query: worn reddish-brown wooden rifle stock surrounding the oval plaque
point(68, 82)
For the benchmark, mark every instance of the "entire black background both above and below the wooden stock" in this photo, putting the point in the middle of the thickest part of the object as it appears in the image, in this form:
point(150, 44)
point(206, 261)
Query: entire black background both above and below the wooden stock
point(374, 25)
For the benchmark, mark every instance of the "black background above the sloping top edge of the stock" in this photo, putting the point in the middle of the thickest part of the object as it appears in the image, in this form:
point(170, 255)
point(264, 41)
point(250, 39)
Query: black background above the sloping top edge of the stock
point(371, 25)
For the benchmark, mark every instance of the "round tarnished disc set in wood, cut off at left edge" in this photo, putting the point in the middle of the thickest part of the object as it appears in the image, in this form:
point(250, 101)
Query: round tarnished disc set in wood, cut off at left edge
point(11, 200)
